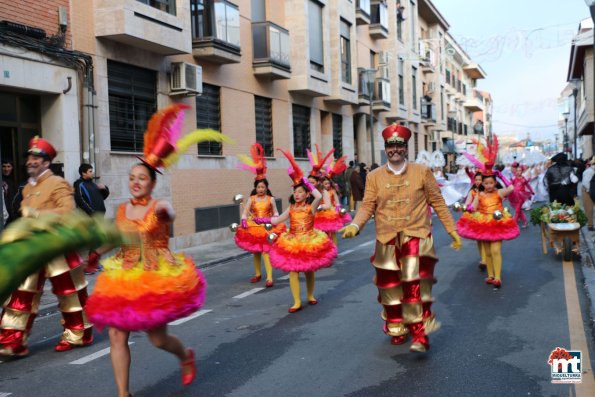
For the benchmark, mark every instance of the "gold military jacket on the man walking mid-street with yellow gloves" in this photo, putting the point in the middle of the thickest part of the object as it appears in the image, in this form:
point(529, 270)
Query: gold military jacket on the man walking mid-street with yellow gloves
point(399, 203)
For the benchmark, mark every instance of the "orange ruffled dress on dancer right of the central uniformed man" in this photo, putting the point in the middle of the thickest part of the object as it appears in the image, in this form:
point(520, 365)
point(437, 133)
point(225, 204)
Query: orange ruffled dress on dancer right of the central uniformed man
point(481, 225)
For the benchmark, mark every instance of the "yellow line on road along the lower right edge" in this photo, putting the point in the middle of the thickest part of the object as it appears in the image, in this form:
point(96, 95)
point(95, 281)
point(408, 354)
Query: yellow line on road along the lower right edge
point(578, 340)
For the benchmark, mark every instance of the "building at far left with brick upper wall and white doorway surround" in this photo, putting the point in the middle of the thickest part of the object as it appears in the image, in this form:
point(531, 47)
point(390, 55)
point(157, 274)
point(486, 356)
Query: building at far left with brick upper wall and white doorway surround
point(41, 81)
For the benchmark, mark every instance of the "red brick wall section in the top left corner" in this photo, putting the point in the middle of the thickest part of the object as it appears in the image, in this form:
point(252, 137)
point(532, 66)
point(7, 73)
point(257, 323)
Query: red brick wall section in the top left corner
point(38, 14)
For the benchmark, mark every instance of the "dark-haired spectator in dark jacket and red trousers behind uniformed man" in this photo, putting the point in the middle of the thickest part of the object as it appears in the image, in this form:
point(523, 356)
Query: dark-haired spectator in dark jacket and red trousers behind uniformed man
point(90, 197)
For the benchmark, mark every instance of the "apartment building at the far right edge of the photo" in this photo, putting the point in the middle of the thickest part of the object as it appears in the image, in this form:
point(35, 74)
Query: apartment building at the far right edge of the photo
point(577, 96)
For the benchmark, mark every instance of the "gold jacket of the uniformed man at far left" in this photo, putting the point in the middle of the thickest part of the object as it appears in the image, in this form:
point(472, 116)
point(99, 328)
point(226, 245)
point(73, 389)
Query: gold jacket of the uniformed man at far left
point(50, 193)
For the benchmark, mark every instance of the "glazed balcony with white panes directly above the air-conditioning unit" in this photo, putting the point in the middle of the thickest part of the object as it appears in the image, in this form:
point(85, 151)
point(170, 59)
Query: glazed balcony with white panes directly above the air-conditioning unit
point(216, 31)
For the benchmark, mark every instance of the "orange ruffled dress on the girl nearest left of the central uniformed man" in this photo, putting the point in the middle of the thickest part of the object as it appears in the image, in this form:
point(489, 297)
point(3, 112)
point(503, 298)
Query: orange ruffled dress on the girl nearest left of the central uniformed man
point(303, 248)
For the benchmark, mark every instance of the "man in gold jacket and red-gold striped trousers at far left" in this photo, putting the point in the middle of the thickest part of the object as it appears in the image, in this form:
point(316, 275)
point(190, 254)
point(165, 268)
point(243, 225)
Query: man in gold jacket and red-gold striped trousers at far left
point(46, 192)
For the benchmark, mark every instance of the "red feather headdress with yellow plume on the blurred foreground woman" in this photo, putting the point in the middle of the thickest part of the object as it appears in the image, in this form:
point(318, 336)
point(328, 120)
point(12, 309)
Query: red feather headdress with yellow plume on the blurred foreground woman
point(163, 144)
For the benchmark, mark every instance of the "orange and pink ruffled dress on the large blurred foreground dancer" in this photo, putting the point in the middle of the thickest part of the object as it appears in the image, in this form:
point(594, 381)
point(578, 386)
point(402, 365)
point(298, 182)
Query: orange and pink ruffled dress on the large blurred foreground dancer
point(145, 285)
